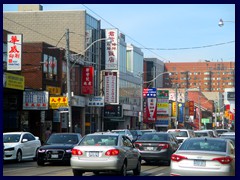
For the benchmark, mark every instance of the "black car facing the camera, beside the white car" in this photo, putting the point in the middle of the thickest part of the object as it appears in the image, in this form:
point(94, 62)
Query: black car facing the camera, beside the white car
point(58, 148)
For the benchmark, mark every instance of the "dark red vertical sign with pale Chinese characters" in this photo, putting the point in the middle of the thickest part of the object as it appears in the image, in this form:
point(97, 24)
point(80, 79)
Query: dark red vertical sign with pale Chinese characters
point(87, 80)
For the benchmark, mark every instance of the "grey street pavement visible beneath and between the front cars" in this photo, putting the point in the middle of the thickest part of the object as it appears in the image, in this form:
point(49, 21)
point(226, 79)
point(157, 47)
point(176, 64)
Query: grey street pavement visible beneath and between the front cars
point(30, 168)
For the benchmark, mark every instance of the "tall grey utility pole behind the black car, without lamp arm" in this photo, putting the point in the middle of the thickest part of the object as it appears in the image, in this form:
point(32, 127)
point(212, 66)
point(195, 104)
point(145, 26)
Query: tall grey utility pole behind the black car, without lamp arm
point(68, 83)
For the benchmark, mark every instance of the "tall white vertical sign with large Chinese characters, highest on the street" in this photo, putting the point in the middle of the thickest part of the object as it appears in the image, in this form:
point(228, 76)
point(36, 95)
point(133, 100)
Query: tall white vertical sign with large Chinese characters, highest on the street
point(111, 51)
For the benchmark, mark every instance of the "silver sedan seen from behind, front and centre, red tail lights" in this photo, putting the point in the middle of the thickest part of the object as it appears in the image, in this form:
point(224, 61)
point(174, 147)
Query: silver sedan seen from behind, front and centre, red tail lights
point(105, 152)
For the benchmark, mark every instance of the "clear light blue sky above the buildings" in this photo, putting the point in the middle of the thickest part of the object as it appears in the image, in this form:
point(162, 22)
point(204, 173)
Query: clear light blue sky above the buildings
point(169, 32)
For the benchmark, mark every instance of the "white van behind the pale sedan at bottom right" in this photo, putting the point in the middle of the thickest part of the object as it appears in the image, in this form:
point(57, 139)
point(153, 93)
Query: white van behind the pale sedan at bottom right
point(182, 134)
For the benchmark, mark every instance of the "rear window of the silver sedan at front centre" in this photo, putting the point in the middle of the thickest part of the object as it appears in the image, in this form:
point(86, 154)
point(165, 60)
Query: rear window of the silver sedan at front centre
point(99, 140)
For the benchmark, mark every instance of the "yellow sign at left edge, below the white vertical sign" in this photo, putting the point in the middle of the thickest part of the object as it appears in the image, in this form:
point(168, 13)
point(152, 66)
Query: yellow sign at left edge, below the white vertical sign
point(13, 81)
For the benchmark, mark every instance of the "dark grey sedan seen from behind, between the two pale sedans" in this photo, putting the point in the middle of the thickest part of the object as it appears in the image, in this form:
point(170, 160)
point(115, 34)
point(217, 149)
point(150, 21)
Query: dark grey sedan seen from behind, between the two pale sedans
point(156, 146)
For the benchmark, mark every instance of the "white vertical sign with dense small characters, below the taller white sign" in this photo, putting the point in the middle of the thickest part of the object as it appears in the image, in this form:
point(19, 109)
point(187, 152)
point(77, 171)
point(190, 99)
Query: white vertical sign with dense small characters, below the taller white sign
point(110, 92)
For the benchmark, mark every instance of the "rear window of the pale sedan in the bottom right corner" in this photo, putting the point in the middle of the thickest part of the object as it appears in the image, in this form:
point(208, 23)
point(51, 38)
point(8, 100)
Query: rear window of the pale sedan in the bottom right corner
point(204, 145)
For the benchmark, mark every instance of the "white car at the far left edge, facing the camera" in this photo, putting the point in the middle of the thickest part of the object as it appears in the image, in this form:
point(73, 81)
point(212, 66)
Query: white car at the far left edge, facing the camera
point(20, 145)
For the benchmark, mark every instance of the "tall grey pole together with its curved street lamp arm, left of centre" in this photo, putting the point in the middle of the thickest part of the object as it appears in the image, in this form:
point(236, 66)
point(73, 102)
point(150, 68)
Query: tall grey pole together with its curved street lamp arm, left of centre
point(68, 75)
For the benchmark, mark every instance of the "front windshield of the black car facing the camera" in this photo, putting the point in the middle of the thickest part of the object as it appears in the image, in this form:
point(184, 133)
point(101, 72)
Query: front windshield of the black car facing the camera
point(62, 139)
